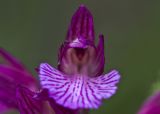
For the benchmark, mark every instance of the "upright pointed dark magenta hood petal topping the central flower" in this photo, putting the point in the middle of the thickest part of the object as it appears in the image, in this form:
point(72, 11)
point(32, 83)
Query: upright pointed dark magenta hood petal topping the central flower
point(81, 25)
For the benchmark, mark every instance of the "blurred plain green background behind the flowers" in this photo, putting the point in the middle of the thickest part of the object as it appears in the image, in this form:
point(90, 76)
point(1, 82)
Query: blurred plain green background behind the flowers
point(32, 30)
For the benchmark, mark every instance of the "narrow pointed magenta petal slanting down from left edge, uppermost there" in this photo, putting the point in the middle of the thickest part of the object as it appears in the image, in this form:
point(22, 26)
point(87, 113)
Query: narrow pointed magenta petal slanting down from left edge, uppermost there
point(11, 60)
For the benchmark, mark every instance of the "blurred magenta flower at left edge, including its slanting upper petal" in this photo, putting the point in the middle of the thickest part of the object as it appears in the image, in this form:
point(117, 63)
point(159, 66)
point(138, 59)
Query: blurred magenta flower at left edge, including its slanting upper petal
point(12, 74)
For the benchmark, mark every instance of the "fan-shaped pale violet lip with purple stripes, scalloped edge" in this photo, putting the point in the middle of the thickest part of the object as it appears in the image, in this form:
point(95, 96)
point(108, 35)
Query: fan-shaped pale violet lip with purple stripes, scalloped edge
point(78, 91)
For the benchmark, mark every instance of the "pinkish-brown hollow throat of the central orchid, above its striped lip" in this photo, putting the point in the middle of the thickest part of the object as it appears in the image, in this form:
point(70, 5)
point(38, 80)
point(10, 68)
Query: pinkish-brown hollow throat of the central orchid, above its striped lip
point(79, 60)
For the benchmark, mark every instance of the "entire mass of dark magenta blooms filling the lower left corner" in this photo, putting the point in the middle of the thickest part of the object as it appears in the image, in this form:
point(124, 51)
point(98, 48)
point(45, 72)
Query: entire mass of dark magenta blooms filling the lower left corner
point(19, 90)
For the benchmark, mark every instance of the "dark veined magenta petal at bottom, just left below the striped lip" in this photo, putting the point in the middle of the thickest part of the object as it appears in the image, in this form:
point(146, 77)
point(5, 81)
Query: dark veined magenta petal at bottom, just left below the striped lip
point(28, 104)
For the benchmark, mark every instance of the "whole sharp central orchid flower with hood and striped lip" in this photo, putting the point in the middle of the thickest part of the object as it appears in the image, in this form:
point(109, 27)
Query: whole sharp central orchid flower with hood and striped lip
point(78, 82)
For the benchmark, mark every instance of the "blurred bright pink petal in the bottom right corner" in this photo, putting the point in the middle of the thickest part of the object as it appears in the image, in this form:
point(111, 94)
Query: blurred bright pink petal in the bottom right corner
point(152, 105)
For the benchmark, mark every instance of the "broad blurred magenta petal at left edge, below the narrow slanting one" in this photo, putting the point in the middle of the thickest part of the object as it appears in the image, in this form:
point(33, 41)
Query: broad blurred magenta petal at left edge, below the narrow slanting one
point(9, 79)
